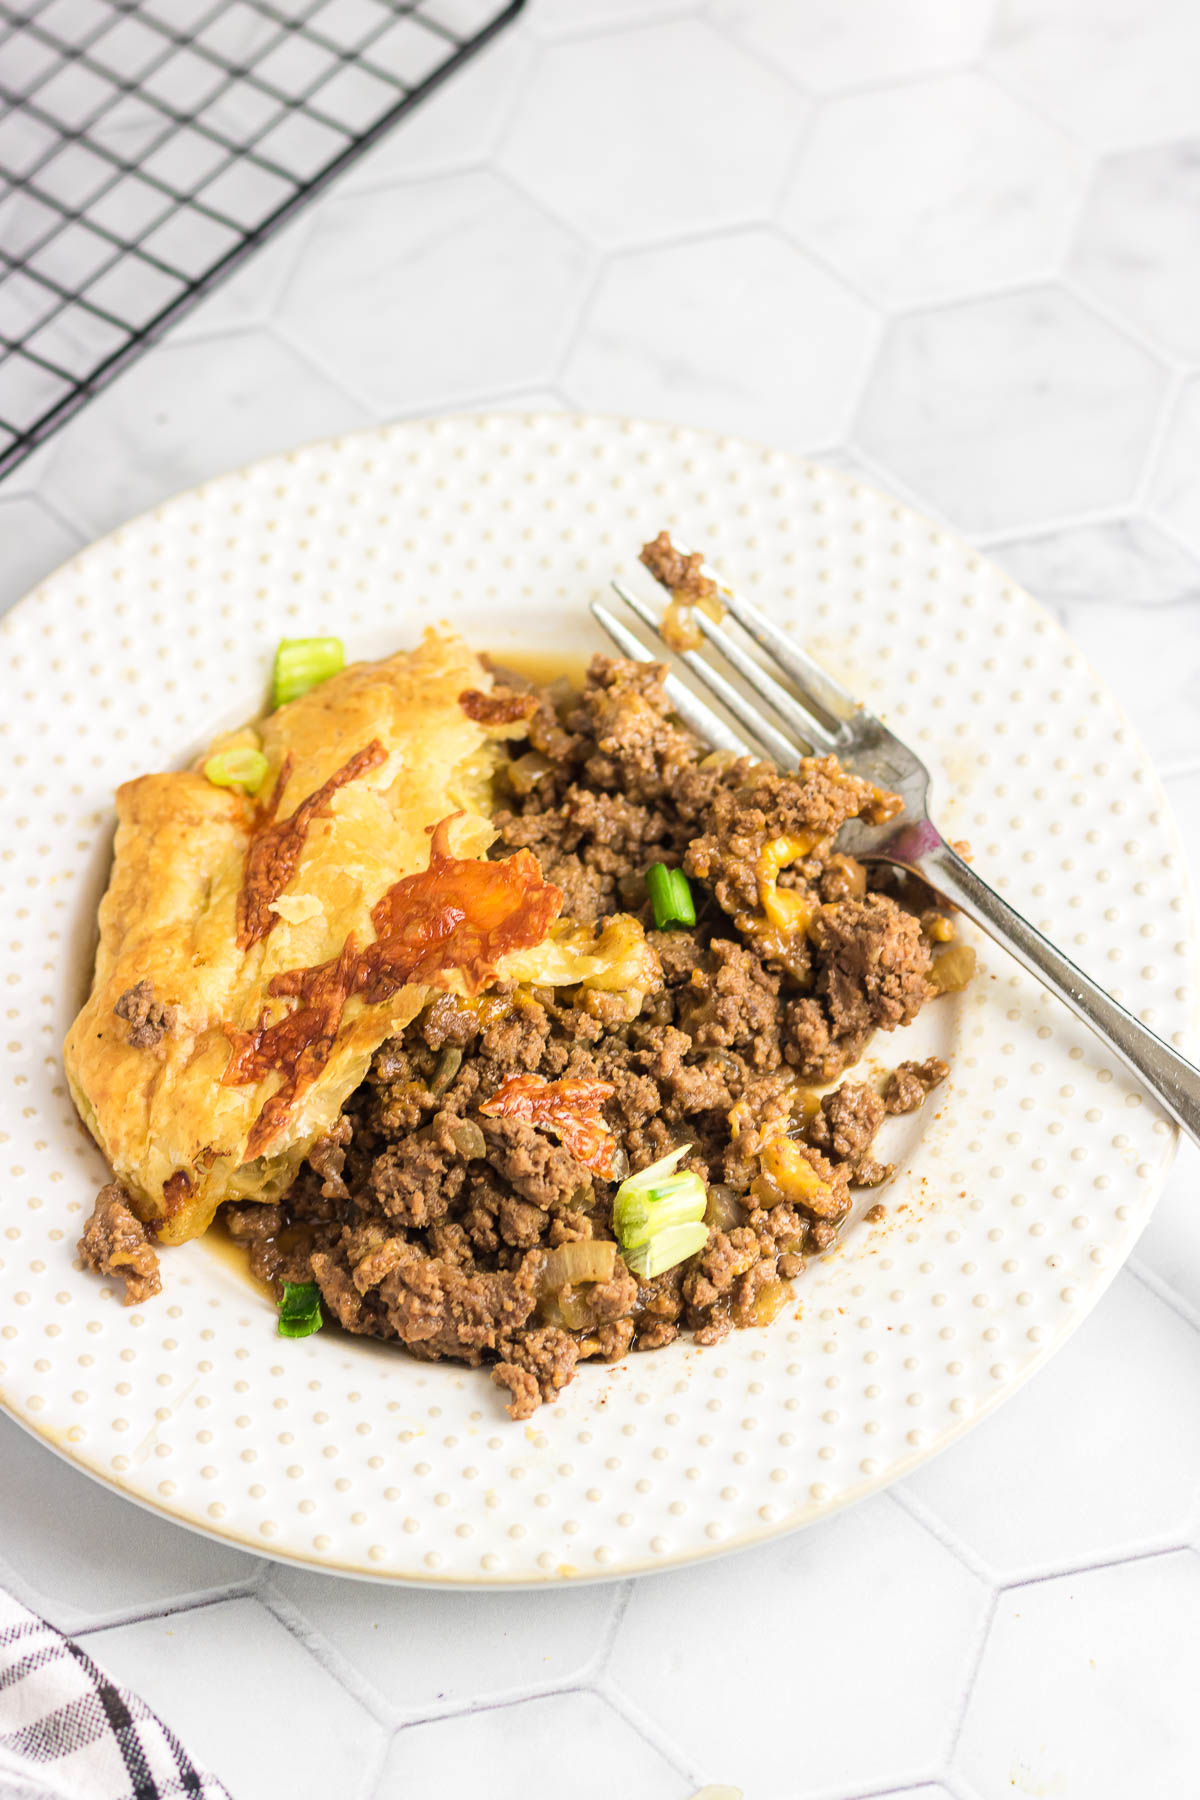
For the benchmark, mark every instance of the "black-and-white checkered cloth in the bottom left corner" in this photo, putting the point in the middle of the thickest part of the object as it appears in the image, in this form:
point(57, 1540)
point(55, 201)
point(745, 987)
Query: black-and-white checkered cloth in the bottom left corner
point(69, 1734)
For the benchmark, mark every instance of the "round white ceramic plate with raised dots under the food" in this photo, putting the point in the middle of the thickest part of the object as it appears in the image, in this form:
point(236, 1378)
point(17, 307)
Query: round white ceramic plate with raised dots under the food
point(1021, 1191)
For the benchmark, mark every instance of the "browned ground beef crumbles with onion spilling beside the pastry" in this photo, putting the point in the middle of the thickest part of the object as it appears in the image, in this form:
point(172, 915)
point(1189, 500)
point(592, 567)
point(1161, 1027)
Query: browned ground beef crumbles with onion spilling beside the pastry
point(449, 1232)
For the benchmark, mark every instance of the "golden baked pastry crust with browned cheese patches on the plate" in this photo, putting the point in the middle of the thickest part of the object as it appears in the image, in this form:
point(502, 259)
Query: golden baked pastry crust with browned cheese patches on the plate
point(256, 951)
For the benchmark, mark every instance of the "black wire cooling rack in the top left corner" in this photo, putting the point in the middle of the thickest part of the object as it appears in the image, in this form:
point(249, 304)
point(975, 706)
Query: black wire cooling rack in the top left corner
point(148, 147)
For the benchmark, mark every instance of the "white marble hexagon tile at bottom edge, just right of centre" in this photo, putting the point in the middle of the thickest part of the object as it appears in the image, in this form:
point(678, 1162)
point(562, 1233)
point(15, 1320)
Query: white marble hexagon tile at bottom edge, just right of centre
point(854, 1588)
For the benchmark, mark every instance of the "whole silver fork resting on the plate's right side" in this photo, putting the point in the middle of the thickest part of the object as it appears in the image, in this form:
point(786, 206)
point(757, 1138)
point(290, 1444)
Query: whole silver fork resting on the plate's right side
point(823, 717)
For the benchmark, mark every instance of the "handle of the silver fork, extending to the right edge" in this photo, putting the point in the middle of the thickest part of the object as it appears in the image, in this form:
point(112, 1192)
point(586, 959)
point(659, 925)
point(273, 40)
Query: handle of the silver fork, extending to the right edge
point(1170, 1077)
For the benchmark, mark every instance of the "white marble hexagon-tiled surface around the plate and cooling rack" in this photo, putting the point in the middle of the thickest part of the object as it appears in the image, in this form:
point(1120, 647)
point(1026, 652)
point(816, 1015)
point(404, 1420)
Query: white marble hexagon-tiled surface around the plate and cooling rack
point(953, 249)
